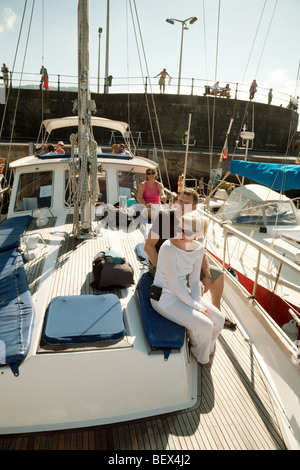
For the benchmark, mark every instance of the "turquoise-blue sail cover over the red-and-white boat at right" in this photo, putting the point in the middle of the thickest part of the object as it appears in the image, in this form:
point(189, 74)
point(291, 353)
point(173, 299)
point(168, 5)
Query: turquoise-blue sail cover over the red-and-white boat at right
point(276, 176)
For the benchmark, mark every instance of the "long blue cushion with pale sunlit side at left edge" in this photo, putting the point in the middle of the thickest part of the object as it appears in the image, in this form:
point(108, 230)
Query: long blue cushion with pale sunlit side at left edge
point(16, 309)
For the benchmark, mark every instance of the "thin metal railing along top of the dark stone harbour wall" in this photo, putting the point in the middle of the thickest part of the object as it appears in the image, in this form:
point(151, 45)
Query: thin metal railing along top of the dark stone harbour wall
point(188, 86)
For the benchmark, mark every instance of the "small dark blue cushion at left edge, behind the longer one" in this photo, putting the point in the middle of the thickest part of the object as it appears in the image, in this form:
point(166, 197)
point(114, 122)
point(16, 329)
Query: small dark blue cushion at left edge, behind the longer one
point(10, 231)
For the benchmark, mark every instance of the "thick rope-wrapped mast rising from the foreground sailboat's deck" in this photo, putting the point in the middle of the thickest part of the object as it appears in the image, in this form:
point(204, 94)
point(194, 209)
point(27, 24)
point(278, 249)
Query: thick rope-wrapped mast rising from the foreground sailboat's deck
point(87, 191)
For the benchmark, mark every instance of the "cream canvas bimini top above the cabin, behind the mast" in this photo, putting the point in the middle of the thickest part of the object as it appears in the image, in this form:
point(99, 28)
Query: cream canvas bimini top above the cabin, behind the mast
point(58, 123)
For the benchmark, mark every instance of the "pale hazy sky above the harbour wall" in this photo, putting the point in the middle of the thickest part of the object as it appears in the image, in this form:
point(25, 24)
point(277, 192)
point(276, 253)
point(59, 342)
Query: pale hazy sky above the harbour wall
point(232, 41)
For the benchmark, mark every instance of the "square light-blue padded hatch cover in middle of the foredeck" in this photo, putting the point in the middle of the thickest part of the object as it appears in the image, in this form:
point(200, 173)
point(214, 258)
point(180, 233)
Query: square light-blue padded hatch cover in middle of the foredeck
point(83, 319)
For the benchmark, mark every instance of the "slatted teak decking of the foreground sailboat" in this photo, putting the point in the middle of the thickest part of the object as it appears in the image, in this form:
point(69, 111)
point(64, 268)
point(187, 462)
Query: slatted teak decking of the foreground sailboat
point(234, 409)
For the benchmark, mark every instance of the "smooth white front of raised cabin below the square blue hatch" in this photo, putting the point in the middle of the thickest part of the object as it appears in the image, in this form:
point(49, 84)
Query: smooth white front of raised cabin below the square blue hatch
point(78, 389)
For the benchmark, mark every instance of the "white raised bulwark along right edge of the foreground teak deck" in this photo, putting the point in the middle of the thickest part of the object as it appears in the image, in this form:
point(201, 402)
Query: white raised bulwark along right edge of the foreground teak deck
point(281, 370)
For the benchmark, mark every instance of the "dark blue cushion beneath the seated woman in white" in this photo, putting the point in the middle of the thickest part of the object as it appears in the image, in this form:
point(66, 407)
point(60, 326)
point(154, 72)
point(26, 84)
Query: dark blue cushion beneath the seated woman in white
point(160, 332)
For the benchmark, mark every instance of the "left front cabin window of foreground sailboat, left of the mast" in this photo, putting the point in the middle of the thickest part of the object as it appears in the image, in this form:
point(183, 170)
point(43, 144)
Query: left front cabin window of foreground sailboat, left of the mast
point(35, 191)
